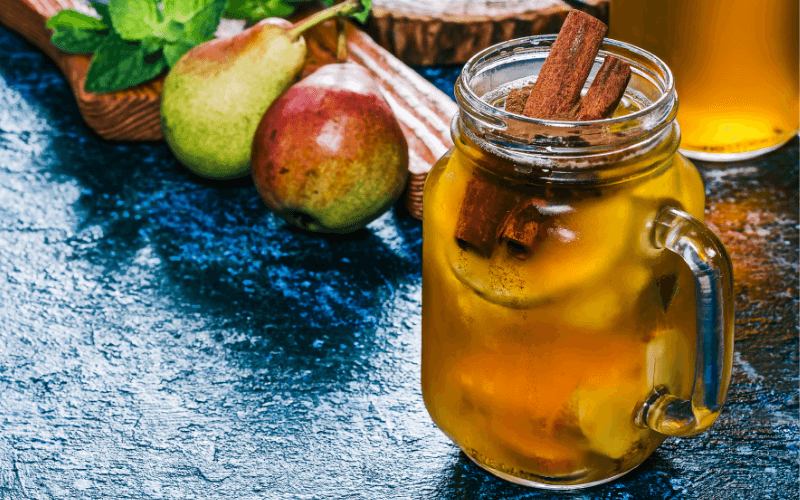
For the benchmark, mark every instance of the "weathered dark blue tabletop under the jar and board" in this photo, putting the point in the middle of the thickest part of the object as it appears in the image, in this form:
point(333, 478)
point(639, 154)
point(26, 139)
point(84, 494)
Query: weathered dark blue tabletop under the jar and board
point(162, 337)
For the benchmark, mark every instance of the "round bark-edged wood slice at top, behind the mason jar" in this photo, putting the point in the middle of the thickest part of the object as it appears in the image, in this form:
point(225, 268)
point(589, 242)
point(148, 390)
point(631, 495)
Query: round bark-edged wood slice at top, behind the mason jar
point(421, 32)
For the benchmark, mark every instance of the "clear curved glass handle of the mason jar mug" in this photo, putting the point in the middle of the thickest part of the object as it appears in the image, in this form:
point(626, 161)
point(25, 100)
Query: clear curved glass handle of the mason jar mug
point(702, 250)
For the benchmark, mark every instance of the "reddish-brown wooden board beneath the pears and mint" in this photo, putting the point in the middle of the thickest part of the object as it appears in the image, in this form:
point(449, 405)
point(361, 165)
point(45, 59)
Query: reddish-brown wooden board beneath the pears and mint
point(424, 112)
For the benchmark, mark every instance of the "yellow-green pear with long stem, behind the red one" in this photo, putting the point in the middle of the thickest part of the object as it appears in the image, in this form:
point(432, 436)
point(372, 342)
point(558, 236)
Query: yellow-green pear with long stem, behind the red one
point(215, 95)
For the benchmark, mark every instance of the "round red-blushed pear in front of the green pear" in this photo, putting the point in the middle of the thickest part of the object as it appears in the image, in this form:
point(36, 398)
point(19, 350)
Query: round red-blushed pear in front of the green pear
point(329, 155)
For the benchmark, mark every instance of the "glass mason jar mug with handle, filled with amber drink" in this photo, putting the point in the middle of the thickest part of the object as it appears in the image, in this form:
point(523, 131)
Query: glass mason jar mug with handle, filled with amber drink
point(575, 309)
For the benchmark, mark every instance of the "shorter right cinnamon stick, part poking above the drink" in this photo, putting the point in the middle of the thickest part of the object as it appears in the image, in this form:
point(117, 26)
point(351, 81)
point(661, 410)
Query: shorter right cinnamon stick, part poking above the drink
point(606, 91)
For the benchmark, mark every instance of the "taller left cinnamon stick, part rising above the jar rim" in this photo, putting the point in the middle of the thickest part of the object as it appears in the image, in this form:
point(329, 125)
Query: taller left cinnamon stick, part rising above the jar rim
point(560, 81)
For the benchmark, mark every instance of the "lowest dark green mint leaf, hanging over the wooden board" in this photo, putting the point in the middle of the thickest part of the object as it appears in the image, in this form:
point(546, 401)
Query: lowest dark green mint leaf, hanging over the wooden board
point(120, 64)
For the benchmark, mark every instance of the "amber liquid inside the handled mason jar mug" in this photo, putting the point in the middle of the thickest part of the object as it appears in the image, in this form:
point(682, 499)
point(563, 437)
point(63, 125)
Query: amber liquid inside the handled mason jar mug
point(536, 367)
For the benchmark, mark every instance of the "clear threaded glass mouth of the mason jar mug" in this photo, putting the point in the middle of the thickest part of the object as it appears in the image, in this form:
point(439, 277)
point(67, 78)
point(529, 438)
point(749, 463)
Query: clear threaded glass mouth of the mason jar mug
point(563, 145)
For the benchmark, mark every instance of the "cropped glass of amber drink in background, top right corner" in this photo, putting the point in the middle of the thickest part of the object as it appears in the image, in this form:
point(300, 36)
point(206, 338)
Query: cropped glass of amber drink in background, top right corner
point(735, 62)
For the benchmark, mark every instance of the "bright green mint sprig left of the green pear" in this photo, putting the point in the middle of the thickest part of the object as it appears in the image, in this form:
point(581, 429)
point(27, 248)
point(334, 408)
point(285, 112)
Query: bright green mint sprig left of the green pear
point(135, 40)
